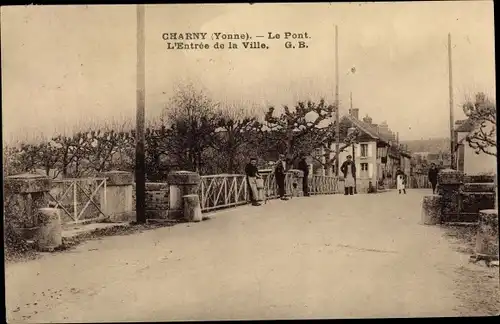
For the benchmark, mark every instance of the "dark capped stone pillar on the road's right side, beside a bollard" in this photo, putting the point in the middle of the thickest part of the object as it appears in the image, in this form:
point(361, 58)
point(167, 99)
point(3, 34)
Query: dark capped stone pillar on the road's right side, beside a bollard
point(449, 185)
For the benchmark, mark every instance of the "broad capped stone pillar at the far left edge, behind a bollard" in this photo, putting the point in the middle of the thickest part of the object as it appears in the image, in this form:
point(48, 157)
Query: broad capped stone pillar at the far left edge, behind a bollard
point(24, 194)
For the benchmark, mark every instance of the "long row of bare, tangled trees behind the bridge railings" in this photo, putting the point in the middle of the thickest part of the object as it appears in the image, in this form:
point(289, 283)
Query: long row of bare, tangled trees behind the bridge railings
point(194, 133)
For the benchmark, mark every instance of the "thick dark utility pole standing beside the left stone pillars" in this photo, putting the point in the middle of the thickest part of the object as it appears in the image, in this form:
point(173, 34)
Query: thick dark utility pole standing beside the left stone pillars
point(140, 165)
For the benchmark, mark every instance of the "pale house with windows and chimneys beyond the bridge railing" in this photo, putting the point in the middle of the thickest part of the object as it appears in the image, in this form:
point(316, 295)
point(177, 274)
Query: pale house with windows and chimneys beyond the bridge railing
point(377, 155)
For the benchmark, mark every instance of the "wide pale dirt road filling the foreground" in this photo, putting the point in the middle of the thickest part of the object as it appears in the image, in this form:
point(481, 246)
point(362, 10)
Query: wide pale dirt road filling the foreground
point(318, 257)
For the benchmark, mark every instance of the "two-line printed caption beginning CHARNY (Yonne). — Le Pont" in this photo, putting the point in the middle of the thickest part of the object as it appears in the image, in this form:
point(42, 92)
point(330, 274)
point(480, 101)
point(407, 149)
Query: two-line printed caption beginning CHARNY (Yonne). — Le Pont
point(235, 41)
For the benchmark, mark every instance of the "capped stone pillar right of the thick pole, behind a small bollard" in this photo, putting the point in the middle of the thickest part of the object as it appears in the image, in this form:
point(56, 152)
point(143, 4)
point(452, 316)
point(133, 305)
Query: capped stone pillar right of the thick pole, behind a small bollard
point(181, 183)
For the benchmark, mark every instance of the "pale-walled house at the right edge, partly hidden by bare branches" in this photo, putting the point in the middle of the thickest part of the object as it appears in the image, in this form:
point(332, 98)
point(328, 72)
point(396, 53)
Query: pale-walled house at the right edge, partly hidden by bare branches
point(467, 160)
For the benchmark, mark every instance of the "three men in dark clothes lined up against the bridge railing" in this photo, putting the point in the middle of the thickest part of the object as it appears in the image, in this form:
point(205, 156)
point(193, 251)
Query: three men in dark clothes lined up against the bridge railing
point(256, 184)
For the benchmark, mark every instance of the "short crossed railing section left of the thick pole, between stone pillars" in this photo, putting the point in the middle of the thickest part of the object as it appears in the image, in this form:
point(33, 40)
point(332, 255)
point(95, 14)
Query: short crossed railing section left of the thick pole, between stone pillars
point(81, 199)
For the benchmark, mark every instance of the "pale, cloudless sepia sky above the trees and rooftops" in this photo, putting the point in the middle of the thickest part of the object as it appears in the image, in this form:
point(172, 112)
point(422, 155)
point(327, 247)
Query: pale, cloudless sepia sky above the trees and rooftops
point(67, 67)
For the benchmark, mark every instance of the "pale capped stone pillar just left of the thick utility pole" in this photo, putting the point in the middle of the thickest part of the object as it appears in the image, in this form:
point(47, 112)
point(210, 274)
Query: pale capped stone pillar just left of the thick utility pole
point(116, 198)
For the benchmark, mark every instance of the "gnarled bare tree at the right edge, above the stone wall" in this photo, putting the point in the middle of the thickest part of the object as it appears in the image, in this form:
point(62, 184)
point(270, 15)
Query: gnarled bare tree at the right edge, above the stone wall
point(482, 114)
